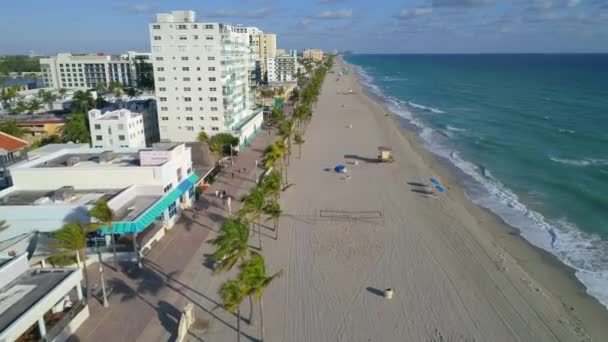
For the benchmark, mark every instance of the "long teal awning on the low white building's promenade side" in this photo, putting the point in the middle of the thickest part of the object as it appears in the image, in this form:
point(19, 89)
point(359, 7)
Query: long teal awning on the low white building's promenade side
point(155, 210)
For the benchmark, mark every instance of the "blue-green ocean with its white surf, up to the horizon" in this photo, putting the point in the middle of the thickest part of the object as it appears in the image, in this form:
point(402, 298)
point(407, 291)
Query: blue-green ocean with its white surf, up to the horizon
point(528, 134)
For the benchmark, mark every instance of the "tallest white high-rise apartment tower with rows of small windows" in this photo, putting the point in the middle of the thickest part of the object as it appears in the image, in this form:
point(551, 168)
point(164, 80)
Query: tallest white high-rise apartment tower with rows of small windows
point(203, 78)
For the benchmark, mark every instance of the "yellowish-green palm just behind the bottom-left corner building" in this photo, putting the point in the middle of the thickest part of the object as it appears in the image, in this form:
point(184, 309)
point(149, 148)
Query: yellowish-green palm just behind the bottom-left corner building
point(72, 238)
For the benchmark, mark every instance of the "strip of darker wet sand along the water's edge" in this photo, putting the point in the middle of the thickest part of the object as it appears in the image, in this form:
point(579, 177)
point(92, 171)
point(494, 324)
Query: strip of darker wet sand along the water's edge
point(551, 273)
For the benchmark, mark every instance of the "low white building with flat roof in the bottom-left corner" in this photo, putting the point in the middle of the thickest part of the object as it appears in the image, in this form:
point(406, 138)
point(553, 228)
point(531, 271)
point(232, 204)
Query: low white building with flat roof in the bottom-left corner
point(39, 304)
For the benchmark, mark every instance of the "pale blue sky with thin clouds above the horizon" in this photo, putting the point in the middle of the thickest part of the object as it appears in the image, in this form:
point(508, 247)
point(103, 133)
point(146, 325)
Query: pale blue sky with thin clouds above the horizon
point(362, 26)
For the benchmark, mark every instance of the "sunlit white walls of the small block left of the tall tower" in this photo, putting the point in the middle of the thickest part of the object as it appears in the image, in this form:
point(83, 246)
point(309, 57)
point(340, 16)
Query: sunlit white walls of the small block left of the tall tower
point(116, 129)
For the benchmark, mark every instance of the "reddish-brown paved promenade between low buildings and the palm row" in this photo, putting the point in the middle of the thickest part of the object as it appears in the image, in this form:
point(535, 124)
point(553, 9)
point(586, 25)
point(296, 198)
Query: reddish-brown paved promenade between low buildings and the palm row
point(146, 303)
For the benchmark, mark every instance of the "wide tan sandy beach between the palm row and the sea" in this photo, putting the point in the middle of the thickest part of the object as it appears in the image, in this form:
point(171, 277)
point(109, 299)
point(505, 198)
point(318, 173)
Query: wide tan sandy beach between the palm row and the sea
point(457, 271)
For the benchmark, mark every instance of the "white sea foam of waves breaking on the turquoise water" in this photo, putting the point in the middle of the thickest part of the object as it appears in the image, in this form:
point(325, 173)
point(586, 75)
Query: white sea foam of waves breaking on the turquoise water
point(586, 253)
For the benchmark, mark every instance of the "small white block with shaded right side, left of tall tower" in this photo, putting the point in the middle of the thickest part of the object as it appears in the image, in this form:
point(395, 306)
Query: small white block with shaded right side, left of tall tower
point(124, 124)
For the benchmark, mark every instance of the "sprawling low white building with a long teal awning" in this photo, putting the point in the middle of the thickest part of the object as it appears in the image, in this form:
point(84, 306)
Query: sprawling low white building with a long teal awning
point(144, 187)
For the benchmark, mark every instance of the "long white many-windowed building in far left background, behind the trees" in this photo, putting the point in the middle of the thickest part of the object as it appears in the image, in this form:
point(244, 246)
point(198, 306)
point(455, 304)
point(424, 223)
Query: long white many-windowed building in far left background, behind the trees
point(87, 71)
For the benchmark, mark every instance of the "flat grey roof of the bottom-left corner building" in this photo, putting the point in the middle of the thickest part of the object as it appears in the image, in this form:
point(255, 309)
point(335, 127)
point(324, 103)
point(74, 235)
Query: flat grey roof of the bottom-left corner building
point(24, 292)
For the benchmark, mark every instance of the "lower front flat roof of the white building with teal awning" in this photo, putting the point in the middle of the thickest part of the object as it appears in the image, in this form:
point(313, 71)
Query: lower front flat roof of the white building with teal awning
point(45, 197)
